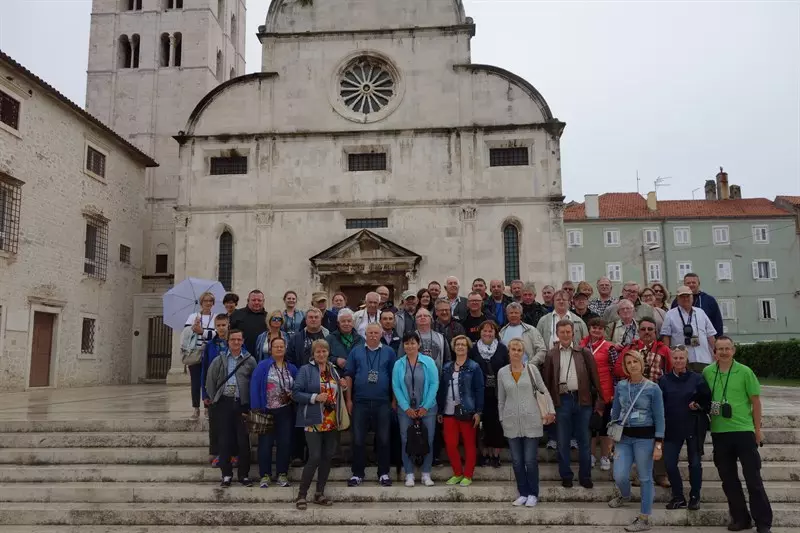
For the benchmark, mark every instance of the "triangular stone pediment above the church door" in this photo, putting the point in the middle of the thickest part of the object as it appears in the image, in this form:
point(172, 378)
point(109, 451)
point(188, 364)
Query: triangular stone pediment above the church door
point(365, 252)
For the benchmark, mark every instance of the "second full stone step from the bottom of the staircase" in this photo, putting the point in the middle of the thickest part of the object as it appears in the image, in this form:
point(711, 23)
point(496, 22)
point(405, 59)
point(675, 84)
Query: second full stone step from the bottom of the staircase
point(550, 491)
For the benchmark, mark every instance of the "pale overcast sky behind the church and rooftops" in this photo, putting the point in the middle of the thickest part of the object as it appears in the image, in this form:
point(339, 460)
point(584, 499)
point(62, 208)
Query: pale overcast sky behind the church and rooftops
point(663, 88)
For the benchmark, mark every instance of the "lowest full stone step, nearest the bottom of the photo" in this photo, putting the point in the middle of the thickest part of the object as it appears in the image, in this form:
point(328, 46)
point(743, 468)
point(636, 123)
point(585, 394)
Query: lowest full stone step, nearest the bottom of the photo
point(376, 514)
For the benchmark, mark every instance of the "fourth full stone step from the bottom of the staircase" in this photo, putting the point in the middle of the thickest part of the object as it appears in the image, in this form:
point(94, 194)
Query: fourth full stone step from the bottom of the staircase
point(199, 455)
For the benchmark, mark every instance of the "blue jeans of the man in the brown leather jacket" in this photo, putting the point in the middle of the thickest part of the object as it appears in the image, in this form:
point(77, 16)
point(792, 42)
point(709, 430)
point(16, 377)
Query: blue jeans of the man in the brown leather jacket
point(573, 421)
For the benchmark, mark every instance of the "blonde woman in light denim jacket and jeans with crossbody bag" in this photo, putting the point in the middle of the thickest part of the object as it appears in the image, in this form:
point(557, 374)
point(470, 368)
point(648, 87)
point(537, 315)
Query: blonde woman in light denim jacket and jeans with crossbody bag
point(639, 408)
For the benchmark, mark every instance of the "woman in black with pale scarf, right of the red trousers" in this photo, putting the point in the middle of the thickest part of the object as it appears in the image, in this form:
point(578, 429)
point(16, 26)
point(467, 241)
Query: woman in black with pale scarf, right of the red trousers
point(491, 355)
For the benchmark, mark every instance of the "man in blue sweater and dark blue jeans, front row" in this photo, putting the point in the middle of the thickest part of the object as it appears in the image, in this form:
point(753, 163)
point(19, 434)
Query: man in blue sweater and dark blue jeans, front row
point(369, 396)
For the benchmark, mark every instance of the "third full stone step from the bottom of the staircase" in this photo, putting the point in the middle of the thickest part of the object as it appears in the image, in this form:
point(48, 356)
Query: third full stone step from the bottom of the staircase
point(145, 473)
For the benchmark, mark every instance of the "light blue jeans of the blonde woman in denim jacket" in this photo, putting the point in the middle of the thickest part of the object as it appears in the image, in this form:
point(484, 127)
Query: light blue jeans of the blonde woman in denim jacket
point(626, 452)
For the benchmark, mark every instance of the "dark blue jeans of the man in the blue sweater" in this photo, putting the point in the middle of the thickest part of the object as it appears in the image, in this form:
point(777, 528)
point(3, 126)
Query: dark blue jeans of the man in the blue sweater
point(378, 415)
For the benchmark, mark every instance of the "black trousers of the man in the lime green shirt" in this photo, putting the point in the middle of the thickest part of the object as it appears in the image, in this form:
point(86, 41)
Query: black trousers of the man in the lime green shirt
point(742, 446)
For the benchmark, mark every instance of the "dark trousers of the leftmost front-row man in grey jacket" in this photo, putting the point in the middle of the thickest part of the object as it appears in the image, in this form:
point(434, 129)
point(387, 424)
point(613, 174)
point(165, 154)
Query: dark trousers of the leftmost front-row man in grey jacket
point(232, 433)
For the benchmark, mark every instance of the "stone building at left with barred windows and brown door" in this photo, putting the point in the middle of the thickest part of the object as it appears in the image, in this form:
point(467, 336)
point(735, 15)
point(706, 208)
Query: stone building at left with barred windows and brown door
point(71, 212)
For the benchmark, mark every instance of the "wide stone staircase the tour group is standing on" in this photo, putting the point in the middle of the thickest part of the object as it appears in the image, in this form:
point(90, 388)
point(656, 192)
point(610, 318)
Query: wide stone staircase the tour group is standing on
point(151, 475)
